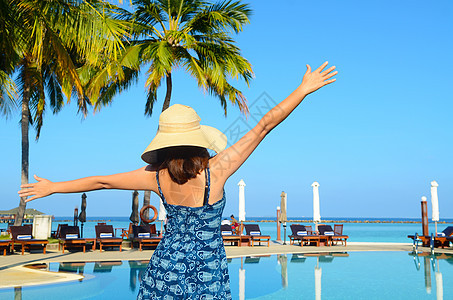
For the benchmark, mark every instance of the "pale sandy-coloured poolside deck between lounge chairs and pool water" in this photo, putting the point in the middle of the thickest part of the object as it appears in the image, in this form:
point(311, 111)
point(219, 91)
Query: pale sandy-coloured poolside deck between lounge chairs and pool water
point(12, 273)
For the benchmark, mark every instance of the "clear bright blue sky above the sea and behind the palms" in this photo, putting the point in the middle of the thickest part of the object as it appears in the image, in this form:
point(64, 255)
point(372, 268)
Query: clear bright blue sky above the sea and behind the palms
point(374, 139)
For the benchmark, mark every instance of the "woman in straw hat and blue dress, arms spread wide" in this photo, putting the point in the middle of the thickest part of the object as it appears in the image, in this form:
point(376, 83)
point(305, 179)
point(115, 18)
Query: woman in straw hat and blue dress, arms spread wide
point(190, 261)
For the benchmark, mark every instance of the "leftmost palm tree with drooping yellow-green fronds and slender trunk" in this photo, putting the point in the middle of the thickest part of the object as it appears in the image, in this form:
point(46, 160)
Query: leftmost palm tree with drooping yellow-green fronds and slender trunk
point(56, 38)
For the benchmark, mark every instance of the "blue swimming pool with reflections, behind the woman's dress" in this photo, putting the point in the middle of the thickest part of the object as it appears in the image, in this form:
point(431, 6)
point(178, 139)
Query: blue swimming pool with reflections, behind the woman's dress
point(354, 275)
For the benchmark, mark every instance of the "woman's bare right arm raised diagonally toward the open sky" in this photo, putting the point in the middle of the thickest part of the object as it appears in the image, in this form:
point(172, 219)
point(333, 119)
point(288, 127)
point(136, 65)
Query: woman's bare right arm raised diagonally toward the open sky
point(229, 160)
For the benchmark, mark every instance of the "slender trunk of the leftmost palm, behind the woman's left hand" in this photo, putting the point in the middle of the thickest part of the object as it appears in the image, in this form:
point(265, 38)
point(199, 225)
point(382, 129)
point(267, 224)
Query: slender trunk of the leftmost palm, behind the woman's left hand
point(25, 146)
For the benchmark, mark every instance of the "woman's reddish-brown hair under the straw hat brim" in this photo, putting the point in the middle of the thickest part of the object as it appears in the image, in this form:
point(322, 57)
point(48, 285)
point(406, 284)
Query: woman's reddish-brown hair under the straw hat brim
point(184, 162)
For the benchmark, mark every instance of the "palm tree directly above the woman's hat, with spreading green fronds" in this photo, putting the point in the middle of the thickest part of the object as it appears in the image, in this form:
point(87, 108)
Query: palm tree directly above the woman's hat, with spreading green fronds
point(194, 35)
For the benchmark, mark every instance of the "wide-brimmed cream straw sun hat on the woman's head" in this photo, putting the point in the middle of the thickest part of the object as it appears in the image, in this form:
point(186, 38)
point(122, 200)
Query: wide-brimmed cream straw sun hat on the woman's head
point(179, 125)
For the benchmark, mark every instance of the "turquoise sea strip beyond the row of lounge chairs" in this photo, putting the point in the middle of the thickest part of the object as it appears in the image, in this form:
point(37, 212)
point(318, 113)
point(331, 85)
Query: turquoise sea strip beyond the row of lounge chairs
point(362, 231)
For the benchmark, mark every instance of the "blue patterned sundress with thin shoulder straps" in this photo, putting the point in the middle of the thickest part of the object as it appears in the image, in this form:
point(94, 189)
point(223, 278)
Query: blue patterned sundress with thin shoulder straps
point(190, 261)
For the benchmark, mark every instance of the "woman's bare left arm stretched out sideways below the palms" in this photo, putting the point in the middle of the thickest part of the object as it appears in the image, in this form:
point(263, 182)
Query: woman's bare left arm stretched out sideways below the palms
point(141, 179)
